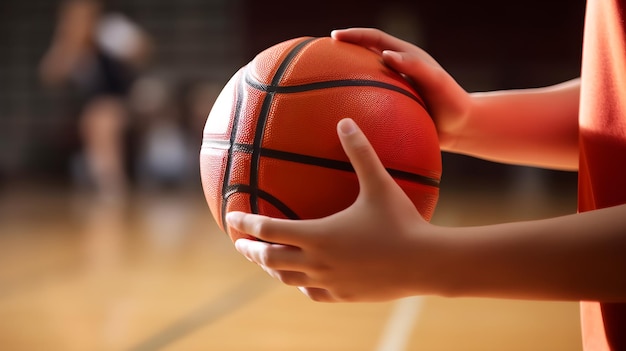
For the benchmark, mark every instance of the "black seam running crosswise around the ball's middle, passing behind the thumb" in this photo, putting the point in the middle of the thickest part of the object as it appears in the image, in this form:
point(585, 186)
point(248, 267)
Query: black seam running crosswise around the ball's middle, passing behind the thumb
point(323, 162)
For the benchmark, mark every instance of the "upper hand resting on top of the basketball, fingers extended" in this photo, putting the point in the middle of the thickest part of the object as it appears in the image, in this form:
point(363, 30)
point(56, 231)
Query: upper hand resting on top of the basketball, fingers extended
point(447, 102)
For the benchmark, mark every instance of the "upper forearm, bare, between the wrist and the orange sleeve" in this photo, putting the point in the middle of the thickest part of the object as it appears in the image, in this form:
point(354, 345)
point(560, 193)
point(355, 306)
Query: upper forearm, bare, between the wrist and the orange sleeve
point(533, 127)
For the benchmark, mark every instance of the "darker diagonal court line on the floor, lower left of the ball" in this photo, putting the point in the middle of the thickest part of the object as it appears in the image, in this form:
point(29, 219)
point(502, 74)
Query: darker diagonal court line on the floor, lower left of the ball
point(243, 293)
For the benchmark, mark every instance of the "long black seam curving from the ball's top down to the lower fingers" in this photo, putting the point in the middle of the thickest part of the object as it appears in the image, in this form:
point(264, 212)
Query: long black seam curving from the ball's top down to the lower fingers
point(262, 120)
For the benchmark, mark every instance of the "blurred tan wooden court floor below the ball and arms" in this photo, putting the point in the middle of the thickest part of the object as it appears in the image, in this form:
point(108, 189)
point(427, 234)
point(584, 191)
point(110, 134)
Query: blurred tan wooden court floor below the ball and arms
point(157, 274)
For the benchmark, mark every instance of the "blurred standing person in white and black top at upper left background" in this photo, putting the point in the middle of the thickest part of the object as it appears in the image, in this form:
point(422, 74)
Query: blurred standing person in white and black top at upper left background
point(99, 54)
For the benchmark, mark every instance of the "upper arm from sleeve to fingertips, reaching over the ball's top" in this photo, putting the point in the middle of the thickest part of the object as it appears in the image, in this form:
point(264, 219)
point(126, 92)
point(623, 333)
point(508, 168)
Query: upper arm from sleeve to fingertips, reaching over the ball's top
point(534, 127)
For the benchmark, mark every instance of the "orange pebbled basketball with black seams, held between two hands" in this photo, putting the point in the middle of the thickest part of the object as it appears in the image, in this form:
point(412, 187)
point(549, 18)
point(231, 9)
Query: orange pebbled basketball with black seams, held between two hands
point(270, 144)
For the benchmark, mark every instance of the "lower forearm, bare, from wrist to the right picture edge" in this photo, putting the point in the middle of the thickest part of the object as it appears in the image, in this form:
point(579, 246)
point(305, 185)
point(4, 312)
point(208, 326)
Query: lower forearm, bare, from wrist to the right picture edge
point(575, 257)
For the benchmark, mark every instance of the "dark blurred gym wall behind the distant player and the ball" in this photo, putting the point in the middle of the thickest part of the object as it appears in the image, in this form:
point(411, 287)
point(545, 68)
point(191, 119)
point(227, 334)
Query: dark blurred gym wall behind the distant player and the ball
point(197, 46)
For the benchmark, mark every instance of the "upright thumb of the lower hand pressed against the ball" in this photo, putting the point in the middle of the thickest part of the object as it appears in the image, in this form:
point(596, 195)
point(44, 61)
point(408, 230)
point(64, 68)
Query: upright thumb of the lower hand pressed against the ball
point(369, 169)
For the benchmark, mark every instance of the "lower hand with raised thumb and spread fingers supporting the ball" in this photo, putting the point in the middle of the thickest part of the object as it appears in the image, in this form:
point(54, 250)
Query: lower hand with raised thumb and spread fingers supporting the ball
point(371, 251)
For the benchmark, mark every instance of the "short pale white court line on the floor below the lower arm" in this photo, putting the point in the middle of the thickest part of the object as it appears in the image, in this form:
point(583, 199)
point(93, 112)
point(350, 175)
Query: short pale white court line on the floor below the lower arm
point(400, 324)
